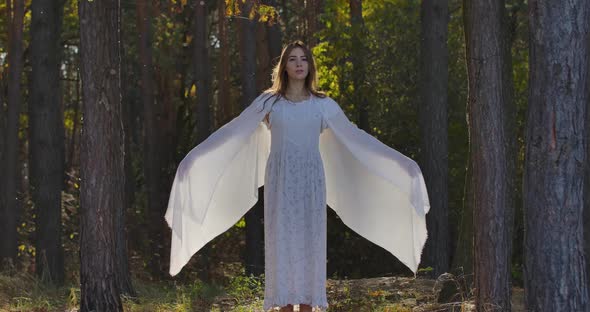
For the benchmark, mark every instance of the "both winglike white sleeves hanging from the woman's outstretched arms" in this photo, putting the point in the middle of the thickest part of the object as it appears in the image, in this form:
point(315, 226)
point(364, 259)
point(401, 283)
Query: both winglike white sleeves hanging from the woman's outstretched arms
point(376, 191)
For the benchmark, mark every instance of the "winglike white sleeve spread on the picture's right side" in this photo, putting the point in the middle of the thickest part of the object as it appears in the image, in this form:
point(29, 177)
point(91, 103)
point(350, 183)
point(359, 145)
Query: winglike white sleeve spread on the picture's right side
point(375, 190)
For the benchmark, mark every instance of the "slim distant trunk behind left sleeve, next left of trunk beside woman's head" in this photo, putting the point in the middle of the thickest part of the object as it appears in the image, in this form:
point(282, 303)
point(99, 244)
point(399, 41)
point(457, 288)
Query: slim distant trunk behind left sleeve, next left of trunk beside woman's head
point(224, 104)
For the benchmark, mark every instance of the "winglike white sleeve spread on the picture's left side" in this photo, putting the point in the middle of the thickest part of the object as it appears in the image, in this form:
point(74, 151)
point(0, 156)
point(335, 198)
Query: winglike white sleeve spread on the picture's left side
point(217, 183)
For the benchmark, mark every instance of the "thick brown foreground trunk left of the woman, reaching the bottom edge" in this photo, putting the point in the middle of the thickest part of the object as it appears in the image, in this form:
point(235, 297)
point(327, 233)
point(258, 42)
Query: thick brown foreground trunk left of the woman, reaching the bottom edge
point(102, 154)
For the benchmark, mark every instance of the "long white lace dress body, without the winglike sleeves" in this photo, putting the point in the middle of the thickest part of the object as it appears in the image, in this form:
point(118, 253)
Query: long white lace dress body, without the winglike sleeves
point(295, 207)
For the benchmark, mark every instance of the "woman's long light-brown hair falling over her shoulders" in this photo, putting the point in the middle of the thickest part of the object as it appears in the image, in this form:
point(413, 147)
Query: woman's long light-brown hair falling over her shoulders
point(280, 79)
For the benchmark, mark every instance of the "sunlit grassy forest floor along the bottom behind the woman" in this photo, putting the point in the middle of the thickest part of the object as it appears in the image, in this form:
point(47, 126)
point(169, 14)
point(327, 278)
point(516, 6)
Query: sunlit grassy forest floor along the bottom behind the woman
point(22, 292)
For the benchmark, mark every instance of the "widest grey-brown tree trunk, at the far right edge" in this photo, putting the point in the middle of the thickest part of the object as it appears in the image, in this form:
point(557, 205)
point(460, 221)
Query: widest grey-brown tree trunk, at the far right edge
point(555, 276)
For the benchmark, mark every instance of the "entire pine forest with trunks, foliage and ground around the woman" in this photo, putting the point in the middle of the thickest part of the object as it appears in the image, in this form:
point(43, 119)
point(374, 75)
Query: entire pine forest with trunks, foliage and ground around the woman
point(100, 100)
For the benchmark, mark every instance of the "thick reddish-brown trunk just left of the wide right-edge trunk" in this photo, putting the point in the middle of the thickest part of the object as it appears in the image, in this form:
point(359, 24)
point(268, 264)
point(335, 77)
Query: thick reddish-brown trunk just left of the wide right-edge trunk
point(490, 151)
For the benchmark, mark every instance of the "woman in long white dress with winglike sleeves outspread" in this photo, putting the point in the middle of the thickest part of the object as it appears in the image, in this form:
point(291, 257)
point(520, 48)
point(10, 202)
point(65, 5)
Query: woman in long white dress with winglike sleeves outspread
point(299, 144)
